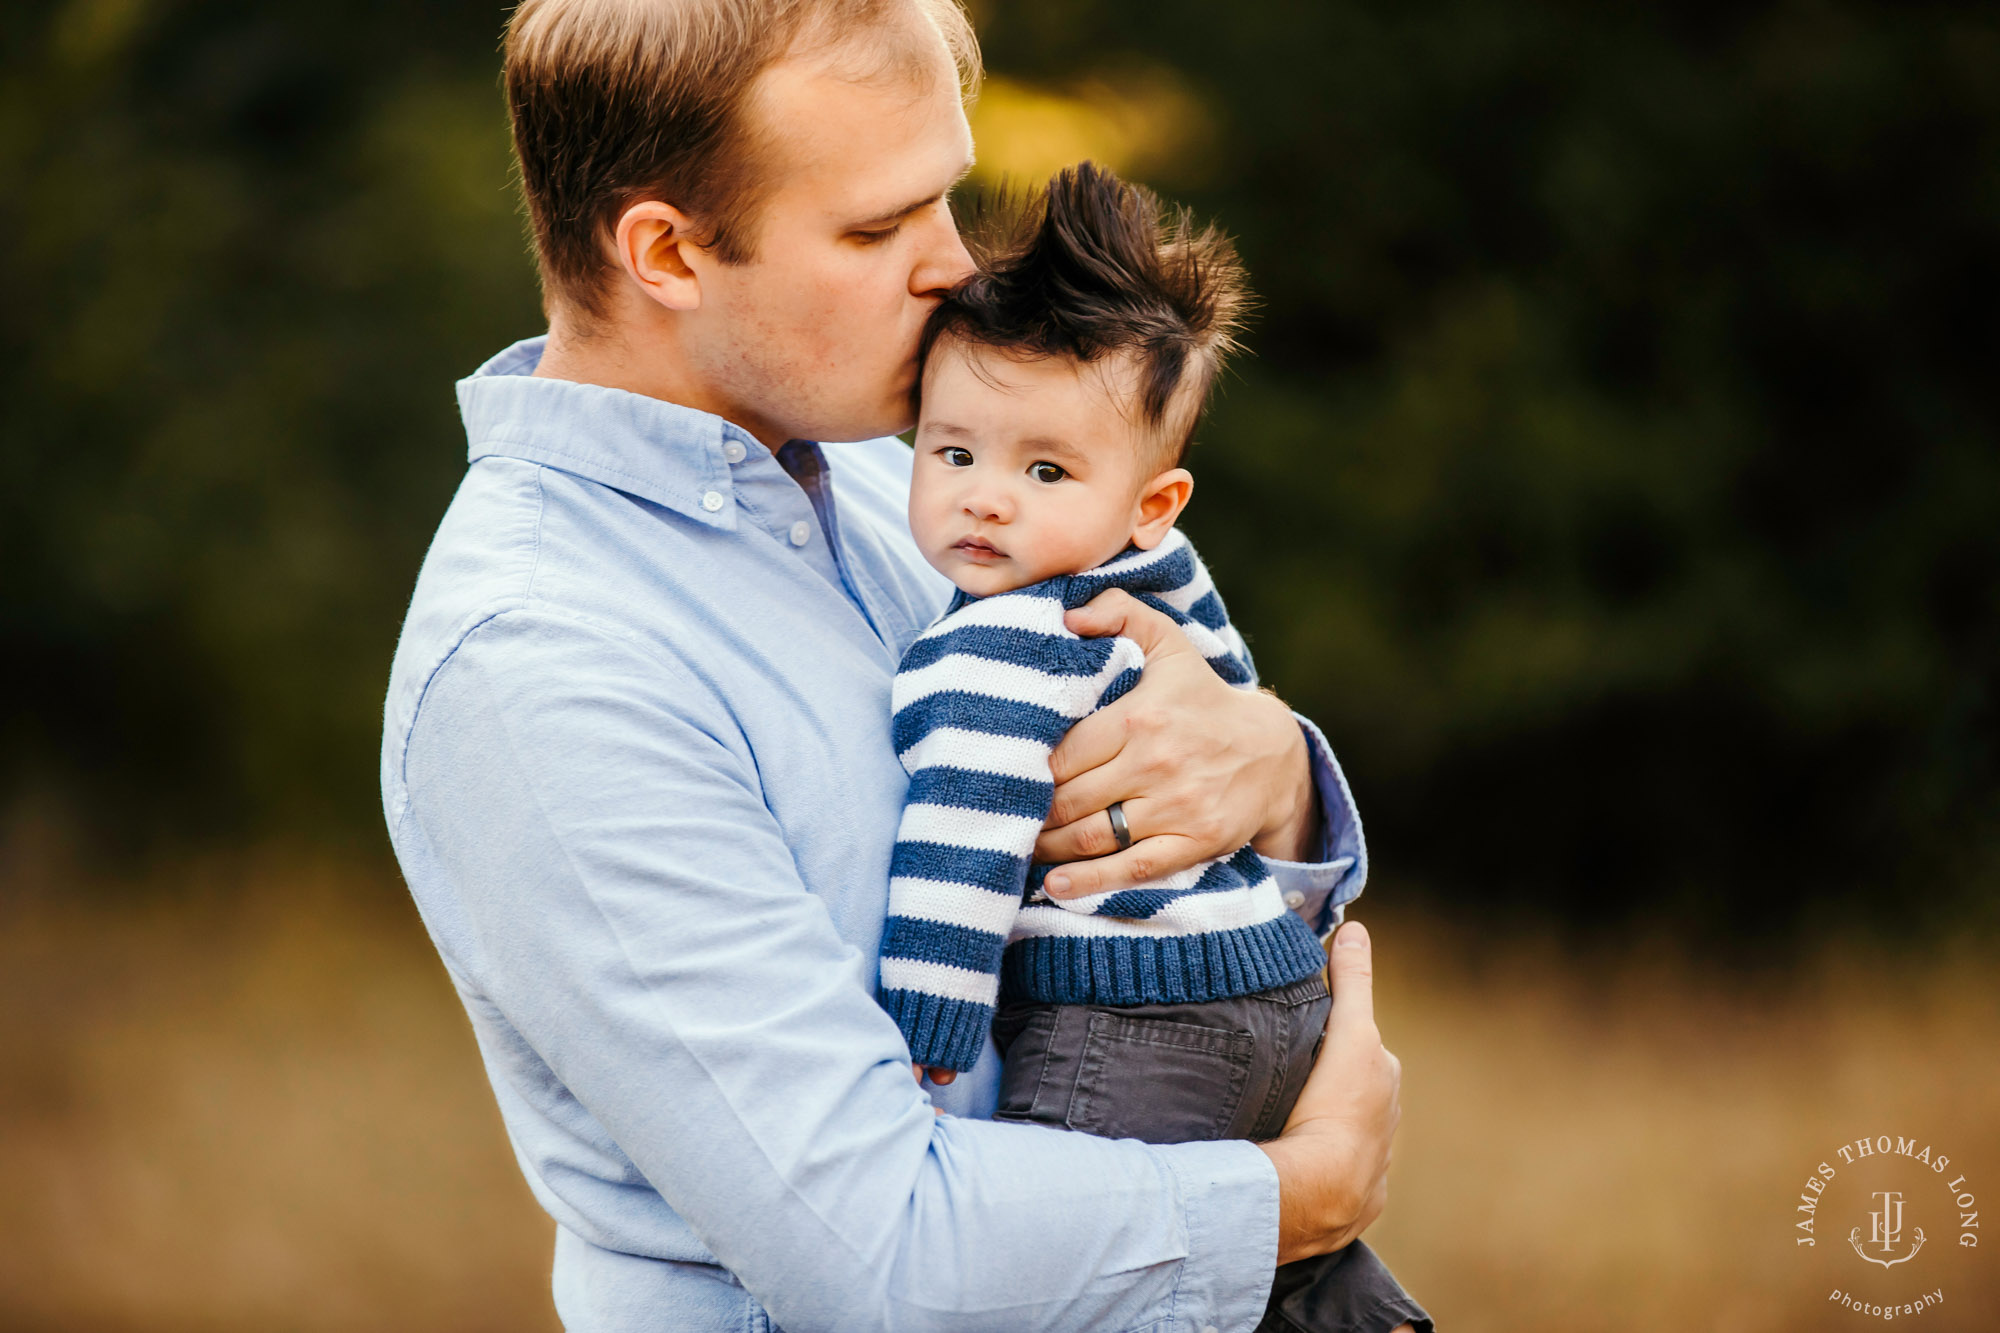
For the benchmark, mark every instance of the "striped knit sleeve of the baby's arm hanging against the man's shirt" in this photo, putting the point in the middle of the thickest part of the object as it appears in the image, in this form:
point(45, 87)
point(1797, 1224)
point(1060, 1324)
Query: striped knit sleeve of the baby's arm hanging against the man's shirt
point(981, 702)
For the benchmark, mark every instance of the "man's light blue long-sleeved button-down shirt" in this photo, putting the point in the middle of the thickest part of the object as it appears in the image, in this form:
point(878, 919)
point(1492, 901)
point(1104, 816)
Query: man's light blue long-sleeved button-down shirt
point(639, 774)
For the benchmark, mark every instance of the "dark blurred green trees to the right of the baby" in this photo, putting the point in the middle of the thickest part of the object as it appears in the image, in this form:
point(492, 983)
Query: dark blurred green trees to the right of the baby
point(1621, 455)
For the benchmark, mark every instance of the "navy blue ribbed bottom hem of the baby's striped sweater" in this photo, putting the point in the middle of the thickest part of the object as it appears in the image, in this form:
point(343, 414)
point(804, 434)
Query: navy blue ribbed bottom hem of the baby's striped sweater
point(1161, 970)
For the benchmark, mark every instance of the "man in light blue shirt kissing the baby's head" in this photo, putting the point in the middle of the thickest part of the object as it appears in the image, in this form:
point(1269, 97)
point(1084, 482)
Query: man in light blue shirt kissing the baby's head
point(637, 758)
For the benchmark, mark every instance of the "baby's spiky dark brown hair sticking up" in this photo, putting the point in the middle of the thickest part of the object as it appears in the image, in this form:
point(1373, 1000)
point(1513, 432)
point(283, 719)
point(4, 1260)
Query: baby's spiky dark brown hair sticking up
point(1095, 267)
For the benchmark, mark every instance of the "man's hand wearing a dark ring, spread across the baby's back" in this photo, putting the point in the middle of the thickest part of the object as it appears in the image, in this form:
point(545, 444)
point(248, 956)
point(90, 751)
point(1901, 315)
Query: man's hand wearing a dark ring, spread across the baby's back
point(1201, 766)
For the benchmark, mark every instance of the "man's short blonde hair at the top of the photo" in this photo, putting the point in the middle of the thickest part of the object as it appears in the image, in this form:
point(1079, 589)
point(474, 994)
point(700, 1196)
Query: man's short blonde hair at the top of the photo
point(621, 101)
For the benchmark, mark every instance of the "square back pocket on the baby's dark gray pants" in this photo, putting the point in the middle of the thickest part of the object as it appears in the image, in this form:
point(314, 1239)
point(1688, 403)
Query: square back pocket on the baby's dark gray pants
point(1157, 1080)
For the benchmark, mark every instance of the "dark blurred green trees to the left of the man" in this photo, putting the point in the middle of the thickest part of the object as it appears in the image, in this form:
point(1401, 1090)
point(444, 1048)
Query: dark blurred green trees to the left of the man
point(249, 247)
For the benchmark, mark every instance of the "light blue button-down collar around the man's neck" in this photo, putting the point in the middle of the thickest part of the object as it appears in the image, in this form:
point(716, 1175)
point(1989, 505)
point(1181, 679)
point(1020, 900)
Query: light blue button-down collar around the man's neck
point(645, 447)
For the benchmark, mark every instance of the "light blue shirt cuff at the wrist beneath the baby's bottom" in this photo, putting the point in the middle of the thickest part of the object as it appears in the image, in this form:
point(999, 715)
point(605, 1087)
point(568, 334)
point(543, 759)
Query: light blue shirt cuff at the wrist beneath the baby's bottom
point(1229, 1196)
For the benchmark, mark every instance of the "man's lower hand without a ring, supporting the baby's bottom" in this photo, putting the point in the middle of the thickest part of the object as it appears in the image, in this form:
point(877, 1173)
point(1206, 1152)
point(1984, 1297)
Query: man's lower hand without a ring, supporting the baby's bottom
point(1333, 1156)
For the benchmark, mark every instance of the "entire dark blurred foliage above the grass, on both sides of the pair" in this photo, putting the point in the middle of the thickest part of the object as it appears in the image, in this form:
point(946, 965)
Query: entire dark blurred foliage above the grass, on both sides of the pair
point(1617, 475)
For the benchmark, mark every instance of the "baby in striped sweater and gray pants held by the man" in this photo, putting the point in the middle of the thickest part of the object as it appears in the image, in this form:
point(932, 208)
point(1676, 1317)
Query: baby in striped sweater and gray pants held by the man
point(1059, 397)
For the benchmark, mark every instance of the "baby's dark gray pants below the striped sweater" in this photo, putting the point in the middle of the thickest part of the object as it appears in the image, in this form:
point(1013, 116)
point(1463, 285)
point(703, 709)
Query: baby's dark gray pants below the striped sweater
point(1179, 1074)
